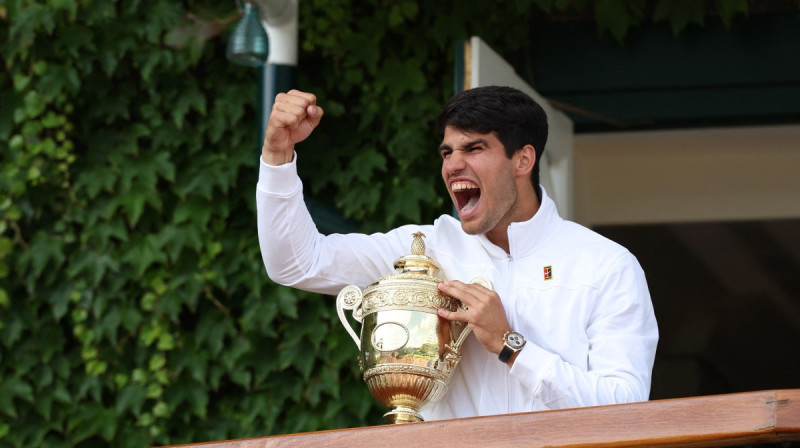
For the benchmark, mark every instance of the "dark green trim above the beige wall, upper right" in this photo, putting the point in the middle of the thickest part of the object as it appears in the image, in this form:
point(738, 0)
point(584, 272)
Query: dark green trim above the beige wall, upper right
point(710, 76)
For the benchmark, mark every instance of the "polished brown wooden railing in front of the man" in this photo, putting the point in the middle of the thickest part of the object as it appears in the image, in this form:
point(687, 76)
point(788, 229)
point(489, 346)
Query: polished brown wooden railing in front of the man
point(718, 420)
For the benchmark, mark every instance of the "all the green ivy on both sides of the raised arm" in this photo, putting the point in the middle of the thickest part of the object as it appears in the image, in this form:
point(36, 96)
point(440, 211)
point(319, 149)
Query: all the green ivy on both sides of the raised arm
point(134, 310)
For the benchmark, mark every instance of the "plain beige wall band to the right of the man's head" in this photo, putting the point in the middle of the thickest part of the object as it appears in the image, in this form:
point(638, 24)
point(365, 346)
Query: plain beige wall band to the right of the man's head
point(687, 175)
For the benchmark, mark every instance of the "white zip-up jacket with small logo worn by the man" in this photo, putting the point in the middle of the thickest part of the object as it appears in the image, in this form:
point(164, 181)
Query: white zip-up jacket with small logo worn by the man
point(590, 328)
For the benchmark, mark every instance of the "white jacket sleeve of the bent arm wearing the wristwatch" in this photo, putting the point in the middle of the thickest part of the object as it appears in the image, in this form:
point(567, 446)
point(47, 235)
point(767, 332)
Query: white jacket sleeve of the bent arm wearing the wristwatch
point(622, 336)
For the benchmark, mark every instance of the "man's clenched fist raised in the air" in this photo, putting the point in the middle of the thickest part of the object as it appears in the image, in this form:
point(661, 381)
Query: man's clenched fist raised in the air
point(294, 116)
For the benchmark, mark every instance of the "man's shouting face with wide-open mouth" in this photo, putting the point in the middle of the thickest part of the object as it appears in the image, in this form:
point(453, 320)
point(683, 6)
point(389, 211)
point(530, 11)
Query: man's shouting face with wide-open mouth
point(480, 179)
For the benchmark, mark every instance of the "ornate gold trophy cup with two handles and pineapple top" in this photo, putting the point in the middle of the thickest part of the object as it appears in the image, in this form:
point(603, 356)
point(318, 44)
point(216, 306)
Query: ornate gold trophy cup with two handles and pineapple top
point(407, 352)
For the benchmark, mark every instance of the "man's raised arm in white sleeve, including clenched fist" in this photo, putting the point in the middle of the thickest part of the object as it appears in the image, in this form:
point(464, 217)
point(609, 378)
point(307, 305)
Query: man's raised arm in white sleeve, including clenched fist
point(294, 252)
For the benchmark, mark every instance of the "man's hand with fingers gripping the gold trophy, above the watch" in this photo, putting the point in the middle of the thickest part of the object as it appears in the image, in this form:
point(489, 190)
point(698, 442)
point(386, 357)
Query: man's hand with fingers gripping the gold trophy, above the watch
point(485, 312)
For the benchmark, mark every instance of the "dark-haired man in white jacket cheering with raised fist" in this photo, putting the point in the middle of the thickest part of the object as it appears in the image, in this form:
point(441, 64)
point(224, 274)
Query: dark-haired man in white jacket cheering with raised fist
point(570, 322)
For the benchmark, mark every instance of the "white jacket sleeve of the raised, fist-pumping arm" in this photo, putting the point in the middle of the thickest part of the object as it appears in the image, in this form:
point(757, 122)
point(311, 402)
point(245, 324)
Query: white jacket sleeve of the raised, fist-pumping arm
point(296, 254)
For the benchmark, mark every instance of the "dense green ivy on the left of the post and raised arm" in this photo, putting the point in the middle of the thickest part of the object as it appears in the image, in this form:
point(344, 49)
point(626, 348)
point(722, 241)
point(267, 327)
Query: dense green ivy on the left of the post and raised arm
point(134, 309)
